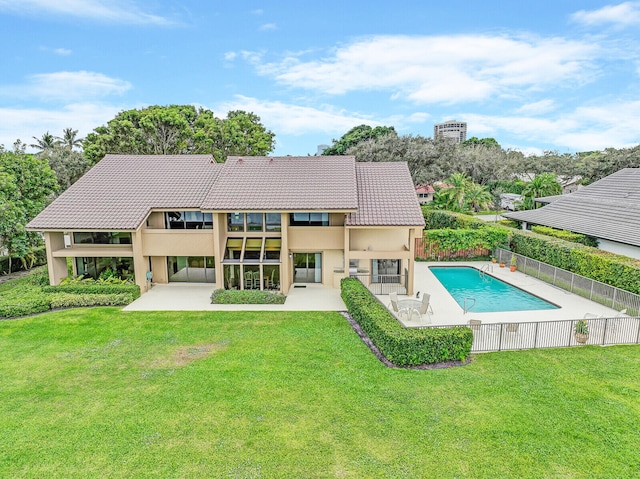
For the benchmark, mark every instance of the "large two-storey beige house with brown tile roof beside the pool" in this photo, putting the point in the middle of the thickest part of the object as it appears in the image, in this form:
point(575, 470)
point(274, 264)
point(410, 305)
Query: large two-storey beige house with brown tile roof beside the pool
point(250, 223)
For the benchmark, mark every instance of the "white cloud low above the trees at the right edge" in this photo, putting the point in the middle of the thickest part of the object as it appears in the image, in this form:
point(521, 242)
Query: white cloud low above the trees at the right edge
point(592, 127)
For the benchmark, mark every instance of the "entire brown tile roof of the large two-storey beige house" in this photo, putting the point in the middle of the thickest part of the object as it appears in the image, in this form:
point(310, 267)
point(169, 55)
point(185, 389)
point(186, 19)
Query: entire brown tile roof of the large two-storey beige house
point(119, 191)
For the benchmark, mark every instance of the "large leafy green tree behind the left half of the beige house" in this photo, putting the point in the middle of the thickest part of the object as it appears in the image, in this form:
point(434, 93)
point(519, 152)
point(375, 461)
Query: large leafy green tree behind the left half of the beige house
point(179, 129)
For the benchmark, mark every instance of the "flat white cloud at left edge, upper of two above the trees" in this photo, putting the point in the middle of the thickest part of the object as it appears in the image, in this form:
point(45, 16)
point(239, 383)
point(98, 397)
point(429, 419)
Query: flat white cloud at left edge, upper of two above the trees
point(67, 86)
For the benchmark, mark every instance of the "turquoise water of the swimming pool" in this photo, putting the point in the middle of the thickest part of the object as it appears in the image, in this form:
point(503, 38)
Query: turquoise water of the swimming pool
point(491, 294)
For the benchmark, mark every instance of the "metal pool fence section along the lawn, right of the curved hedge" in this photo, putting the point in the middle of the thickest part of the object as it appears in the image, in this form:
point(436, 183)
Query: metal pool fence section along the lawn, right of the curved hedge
point(552, 334)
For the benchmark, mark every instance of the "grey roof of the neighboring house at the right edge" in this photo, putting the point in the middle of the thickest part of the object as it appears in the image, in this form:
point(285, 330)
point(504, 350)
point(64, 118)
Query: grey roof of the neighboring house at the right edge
point(608, 210)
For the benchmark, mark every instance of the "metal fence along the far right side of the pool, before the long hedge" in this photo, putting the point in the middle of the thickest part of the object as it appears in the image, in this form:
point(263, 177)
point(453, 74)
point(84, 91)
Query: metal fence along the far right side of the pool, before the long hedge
point(610, 296)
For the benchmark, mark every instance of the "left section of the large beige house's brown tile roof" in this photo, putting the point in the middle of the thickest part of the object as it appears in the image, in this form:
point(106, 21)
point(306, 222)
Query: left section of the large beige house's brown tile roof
point(119, 191)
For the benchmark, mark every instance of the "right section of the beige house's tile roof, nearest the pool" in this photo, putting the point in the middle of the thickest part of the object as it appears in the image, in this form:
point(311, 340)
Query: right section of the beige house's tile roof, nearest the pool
point(386, 196)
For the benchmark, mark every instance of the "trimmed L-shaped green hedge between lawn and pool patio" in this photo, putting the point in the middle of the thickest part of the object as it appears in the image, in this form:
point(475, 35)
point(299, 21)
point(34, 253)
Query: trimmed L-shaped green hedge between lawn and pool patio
point(403, 346)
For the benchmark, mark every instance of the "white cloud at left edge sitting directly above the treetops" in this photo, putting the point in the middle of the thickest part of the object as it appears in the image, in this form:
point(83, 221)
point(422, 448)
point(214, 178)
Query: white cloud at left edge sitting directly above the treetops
point(24, 123)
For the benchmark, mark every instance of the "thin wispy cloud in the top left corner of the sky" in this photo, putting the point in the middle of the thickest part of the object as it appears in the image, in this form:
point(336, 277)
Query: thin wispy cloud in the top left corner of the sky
point(112, 11)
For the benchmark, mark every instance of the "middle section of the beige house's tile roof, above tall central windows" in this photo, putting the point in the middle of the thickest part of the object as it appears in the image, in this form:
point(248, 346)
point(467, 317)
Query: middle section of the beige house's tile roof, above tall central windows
point(285, 183)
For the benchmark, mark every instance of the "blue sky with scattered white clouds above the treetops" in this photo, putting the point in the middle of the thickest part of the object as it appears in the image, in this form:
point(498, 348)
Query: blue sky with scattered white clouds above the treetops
point(537, 75)
